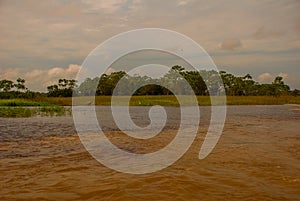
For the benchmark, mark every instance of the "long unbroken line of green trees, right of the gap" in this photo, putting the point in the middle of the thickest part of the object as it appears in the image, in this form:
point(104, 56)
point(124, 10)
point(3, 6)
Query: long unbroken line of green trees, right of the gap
point(174, 78)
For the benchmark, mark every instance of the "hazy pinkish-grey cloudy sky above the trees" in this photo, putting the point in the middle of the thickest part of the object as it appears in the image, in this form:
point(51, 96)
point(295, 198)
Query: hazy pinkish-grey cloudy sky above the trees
point(42, 41)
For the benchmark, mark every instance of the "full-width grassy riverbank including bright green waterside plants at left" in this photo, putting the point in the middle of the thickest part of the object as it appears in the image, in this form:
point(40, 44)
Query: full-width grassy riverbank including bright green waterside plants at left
point(54, 106)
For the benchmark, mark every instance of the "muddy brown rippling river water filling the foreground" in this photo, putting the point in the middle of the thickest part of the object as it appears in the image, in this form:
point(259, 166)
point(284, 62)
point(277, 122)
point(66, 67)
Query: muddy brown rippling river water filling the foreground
point(256, 158)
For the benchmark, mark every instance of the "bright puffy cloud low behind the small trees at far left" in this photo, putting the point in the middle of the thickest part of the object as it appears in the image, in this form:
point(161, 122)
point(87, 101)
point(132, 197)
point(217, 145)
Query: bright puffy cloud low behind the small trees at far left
point(37, 79)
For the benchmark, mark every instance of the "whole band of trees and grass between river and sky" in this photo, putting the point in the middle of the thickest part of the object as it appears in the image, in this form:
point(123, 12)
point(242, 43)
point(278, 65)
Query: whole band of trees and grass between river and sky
point(240, 90)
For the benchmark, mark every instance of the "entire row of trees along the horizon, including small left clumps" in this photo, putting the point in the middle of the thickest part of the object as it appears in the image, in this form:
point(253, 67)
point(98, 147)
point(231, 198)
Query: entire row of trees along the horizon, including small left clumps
point(105, 85)
